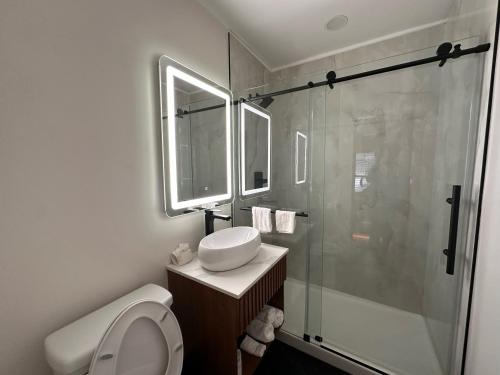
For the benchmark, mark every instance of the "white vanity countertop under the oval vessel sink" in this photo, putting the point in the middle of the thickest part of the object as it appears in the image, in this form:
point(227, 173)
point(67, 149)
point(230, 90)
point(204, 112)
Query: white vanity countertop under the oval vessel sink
point(233, 282)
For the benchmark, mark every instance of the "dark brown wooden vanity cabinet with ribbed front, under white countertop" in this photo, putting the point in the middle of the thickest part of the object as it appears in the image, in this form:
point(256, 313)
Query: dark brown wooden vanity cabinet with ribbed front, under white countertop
point(213, 322)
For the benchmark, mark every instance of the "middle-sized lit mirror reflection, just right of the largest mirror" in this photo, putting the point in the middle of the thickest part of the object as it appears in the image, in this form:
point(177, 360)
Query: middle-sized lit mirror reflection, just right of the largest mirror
point(255, 149)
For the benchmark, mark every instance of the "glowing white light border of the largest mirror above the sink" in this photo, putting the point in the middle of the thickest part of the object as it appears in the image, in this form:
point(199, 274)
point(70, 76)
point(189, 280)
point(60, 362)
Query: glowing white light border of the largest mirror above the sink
point(172, 71)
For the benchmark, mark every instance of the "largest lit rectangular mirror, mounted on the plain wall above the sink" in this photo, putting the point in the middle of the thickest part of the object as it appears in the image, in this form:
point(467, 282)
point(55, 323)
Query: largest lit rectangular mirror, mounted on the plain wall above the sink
point(196, 135)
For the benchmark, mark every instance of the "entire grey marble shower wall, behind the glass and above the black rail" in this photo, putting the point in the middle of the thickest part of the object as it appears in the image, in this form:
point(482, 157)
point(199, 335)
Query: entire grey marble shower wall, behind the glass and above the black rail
point(371, 152)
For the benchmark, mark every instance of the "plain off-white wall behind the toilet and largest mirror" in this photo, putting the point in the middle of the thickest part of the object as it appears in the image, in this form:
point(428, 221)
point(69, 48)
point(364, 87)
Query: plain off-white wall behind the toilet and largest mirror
point(80, 201)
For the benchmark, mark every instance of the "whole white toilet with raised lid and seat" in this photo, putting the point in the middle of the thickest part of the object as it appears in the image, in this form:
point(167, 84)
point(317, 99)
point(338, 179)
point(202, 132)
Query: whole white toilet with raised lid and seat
point(136, 334)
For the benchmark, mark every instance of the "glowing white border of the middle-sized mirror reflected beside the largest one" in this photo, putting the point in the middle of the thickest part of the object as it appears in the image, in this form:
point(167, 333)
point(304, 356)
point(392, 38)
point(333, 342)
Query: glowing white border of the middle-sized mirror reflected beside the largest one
point(260, 112)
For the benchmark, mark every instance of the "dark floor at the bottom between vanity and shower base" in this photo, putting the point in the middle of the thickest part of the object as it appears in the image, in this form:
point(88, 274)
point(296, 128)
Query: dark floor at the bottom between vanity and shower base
point(282, 359)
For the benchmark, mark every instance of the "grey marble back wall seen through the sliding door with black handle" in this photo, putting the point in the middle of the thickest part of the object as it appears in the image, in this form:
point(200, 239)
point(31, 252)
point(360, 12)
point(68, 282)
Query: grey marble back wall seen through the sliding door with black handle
point(379, 144)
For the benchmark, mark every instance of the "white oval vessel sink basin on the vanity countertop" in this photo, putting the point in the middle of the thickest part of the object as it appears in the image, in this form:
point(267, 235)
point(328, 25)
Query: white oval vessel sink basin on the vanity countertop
point(229, 248)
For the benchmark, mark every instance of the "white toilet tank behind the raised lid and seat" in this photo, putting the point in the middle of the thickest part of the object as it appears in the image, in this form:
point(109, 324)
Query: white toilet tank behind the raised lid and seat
point(69, 350)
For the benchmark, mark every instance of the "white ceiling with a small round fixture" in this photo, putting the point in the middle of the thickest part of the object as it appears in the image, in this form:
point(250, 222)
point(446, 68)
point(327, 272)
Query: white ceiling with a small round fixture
point(286, 32)
